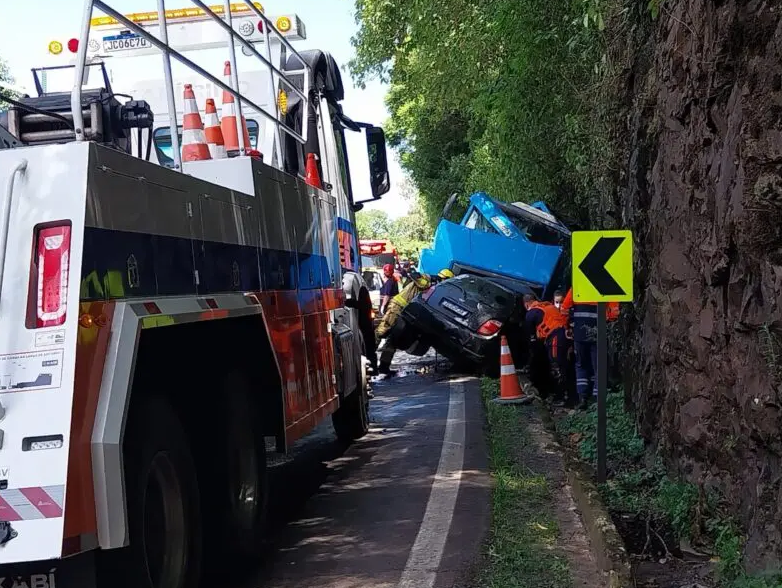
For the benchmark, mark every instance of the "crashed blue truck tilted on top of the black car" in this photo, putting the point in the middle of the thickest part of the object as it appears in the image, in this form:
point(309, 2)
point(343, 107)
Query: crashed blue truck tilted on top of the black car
point(519, 241)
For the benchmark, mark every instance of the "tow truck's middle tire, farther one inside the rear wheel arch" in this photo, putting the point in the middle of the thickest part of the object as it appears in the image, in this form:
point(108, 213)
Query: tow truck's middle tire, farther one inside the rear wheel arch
point(238, 476)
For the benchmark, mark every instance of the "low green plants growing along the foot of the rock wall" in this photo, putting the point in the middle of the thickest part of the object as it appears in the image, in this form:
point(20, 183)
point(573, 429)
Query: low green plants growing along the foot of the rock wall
point(638, 487)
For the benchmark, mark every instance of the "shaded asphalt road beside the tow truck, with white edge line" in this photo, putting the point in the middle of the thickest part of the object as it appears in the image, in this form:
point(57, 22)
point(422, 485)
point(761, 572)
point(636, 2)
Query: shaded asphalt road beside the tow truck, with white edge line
point(407, 506)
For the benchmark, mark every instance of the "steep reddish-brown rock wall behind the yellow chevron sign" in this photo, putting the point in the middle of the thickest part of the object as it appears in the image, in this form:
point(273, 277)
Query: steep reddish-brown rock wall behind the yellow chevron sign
point(703, 191)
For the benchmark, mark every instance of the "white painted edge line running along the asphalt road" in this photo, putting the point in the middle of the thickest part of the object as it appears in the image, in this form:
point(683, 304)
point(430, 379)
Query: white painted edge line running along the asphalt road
point(427, 551)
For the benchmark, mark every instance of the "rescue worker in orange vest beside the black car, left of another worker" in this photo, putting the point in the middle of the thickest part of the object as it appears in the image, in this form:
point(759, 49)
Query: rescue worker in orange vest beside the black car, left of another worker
point(544, 323)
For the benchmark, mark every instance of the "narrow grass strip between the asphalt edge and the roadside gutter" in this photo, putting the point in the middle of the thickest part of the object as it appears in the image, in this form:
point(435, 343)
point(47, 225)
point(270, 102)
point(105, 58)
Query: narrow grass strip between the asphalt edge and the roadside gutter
point(522, 545)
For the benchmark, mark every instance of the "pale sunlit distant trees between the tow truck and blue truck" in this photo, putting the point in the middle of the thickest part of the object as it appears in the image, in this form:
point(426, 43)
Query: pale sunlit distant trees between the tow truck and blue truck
point(409, 233)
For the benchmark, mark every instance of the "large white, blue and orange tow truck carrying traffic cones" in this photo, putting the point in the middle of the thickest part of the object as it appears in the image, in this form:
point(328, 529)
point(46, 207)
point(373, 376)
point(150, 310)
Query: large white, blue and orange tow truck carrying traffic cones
point(167, 326)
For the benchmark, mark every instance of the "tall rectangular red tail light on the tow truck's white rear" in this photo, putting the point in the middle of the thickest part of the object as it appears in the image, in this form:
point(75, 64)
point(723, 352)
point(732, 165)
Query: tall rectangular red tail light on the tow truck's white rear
point(52, 258)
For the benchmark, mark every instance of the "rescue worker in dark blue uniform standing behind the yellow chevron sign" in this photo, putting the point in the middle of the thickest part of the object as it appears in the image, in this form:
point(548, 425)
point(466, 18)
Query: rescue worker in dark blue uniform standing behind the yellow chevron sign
point(582, 319)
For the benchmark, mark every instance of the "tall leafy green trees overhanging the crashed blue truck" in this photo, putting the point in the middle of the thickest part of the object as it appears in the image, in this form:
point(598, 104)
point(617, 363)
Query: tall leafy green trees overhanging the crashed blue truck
point(488, 94)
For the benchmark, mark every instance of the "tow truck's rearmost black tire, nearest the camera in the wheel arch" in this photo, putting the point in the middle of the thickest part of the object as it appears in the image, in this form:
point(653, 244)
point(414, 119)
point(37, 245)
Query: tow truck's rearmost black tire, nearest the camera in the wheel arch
point(163, 504)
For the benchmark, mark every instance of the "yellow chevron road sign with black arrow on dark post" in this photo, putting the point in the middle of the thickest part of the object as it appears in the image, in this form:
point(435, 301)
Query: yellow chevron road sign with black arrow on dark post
point(602, 272)
